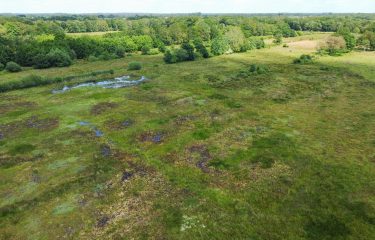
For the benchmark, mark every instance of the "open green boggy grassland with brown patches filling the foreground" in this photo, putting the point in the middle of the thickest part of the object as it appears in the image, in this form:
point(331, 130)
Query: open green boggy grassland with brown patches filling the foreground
point(202, 150)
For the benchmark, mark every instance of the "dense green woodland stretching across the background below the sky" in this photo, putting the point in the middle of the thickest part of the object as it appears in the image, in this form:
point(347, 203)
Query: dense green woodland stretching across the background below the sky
point(43, 42)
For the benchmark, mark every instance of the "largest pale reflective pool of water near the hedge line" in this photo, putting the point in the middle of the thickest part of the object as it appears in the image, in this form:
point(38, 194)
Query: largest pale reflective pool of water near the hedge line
point(119, 82)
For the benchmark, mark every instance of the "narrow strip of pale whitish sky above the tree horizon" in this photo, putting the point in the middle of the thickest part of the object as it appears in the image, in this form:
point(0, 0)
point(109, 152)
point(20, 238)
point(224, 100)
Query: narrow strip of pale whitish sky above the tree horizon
point(185, 6)
